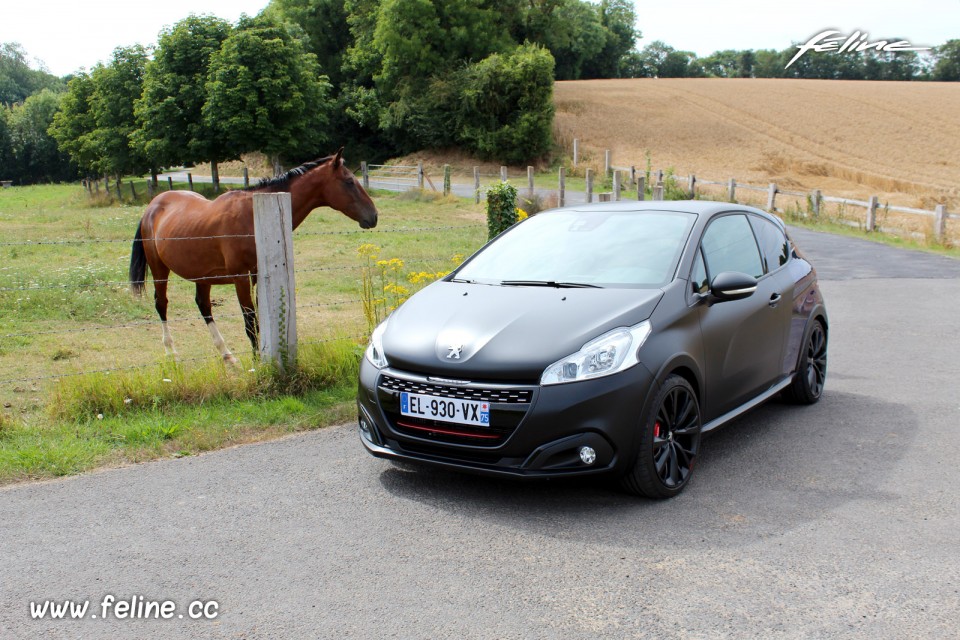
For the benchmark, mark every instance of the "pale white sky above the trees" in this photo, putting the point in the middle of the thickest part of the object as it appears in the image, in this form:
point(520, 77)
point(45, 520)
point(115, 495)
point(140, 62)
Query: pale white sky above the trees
point(70, 35)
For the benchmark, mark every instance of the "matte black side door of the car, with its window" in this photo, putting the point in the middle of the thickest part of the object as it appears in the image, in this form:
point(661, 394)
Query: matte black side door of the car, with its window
point(743, 340)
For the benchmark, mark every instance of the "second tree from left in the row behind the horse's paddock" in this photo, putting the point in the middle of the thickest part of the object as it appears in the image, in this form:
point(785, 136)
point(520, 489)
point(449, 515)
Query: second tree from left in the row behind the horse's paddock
point(116, 87)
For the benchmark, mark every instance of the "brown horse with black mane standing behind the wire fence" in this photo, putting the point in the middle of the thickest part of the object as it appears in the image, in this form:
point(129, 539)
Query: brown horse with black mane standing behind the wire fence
point(212, 242)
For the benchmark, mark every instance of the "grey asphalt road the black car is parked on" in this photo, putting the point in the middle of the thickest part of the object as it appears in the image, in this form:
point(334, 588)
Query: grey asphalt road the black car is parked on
point(836, 520)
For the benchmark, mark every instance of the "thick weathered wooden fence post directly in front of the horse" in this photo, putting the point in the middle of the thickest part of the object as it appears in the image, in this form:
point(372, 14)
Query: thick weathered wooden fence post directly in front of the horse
point(276, 291)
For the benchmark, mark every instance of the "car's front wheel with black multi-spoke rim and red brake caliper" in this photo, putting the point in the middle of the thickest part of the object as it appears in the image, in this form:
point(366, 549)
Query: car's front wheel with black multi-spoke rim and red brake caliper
point(669, 442)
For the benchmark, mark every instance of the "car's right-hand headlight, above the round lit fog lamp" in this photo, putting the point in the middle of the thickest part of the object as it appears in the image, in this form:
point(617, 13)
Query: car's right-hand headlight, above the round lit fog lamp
point(611, 353)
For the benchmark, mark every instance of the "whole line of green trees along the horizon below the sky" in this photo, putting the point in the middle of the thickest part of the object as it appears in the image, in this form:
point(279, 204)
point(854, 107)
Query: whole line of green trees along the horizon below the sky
point(383, 77)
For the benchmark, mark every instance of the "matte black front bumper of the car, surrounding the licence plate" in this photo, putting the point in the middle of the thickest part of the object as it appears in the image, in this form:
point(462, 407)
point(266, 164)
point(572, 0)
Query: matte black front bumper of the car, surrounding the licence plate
point(544, 441)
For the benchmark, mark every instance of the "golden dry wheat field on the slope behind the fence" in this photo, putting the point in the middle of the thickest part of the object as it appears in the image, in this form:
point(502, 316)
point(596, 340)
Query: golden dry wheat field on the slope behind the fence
point(897, 140)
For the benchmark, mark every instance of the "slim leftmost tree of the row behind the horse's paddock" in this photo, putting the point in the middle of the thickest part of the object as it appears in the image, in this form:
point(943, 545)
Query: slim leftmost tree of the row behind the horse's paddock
point(73, 126)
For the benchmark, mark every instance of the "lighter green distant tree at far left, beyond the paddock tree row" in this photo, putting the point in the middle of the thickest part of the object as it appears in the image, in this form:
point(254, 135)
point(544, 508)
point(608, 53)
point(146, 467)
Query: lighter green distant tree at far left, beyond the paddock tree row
point(35, 153)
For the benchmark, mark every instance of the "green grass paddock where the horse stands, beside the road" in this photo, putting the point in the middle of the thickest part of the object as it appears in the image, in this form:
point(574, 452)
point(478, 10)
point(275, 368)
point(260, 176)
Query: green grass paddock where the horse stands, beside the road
point(66, 309)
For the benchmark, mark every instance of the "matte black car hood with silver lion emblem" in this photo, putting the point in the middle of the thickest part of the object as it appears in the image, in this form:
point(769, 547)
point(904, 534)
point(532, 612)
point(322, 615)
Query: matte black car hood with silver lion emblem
point(504, 333)
